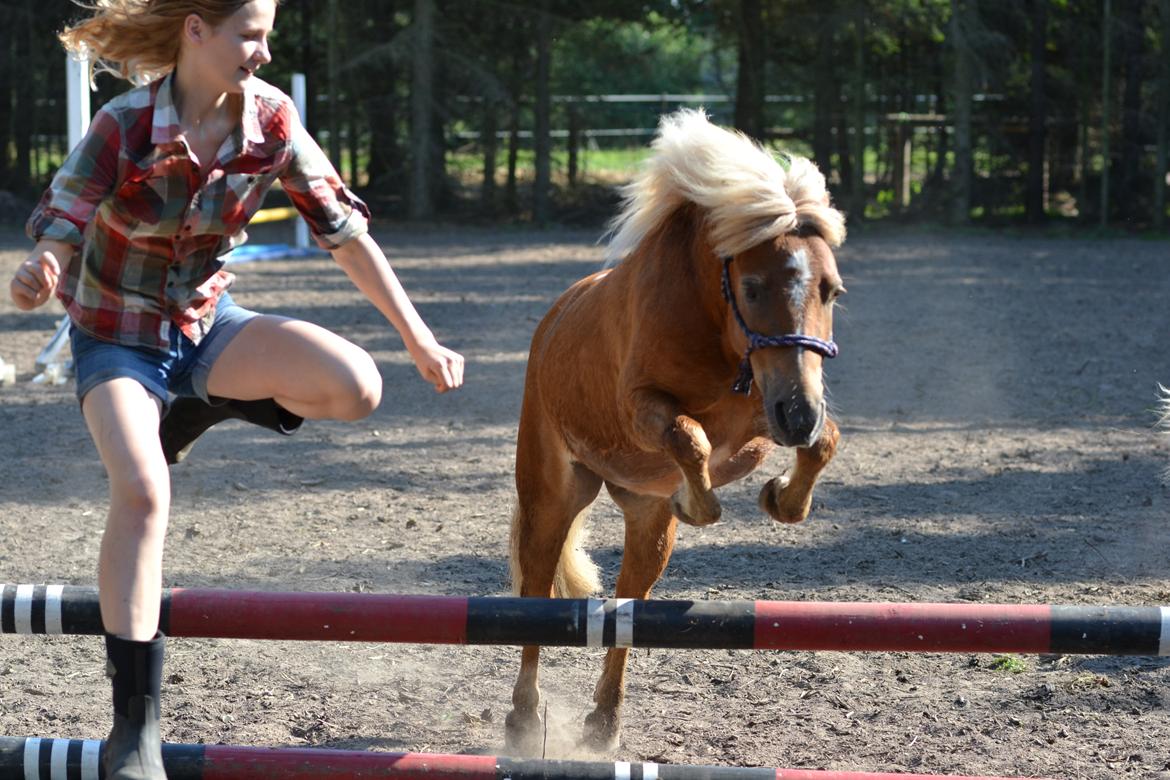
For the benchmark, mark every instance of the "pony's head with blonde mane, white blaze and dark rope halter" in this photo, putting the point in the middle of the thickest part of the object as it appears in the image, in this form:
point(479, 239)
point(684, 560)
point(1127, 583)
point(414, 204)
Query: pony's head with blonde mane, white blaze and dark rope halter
point(770, 223)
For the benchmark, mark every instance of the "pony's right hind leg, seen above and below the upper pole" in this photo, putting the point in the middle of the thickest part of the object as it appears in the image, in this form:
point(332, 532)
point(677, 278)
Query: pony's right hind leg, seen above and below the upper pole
point(650, 540)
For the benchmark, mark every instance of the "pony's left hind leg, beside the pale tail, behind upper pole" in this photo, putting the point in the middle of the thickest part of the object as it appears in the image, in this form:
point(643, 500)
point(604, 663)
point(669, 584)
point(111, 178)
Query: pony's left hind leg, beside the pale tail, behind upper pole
point(549, 509)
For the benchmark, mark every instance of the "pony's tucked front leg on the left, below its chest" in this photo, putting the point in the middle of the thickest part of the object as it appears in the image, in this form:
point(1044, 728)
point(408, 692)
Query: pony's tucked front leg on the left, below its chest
point(660, 425)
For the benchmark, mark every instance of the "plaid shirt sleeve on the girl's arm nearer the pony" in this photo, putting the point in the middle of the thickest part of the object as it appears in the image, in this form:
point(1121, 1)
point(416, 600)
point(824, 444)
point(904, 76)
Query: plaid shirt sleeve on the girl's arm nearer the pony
point(334, 213)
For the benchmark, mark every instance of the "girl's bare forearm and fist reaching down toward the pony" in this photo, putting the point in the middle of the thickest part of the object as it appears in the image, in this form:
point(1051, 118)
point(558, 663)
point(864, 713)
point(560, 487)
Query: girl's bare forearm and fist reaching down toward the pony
point(368, 268)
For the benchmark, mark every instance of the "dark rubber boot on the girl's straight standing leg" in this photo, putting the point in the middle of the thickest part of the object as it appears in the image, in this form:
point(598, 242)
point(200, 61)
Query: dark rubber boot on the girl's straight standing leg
point(134, 750)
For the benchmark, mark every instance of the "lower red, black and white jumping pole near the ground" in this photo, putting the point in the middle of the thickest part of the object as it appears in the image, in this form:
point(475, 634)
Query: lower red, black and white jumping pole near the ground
point(74, 760)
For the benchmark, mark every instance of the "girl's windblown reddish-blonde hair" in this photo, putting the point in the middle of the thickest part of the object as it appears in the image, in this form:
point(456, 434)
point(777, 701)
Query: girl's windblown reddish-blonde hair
point(139, 40)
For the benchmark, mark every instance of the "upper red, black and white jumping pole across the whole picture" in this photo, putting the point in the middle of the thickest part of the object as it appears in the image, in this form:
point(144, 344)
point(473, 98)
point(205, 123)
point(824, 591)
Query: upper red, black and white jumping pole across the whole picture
point(611, 623)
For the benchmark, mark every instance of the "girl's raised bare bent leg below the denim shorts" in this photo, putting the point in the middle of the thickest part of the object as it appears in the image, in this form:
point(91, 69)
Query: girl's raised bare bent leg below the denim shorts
point(306, 369)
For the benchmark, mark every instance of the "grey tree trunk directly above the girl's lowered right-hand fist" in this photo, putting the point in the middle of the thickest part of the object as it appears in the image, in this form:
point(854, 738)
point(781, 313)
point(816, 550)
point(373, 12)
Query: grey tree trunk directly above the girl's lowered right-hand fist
point(422, 111)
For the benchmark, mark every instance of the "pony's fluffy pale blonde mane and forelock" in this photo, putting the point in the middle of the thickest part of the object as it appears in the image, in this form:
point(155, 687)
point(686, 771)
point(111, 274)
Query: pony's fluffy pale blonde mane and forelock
point(748, 196)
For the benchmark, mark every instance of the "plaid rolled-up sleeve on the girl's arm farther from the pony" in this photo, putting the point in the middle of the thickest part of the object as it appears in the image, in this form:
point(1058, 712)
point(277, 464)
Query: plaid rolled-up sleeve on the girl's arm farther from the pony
point(80, 187)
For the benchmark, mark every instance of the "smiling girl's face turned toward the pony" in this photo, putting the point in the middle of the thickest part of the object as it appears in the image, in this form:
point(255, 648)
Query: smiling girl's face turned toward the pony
point(226, 57)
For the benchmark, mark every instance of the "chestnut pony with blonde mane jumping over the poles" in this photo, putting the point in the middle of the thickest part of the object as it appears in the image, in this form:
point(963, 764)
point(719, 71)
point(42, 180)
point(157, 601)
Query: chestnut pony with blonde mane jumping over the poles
point(675, 372)
